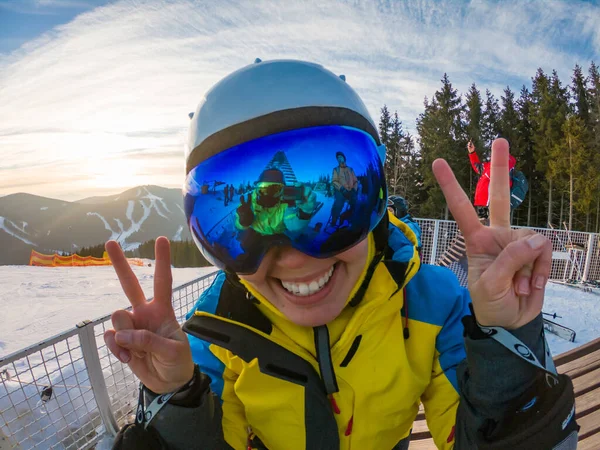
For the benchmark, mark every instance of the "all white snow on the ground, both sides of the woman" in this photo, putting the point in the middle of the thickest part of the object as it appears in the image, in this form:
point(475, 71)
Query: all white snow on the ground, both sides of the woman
point(39, 302)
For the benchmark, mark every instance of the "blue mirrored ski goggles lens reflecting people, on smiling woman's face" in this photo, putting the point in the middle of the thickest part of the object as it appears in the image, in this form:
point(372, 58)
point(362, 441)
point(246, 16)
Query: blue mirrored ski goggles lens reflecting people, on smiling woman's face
point(320, 190)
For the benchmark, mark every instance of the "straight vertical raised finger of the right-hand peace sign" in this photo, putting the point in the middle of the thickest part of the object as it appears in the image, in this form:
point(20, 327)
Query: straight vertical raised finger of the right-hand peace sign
point(500, 185)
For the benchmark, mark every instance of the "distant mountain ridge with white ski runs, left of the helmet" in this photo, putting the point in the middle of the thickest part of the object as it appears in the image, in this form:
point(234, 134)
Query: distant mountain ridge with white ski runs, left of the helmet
point(48, 225)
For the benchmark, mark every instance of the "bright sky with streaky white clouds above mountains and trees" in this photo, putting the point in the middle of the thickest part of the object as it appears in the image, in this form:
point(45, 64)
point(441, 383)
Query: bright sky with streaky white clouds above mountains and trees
point(94, 95)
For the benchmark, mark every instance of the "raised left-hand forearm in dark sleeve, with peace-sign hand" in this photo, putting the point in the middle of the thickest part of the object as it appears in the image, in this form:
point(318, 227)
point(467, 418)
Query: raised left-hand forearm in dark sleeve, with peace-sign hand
point(177, 408)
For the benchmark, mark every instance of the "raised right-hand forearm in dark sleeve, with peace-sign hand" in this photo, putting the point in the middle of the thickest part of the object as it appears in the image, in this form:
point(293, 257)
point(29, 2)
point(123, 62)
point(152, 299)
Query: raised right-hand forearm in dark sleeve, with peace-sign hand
point(511, 396)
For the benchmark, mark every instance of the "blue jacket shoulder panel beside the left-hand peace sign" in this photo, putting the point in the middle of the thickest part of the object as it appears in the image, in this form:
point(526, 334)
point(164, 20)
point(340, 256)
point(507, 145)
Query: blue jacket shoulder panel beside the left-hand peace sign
point(201, 354)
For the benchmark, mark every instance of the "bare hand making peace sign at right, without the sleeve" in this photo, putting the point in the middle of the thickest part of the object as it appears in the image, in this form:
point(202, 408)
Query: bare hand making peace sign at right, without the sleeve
point(508, 269)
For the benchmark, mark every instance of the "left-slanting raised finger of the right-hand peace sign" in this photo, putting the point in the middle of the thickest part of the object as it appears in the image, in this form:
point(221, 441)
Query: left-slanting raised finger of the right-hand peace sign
point(457, 200)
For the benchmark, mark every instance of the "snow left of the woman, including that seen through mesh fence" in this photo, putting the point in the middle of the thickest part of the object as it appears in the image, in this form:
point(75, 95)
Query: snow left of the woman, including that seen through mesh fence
point(37, 303)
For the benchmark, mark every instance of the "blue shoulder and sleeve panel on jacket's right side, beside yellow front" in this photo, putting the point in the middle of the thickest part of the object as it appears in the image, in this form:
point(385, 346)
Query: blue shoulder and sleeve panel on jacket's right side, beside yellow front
point(434, 296)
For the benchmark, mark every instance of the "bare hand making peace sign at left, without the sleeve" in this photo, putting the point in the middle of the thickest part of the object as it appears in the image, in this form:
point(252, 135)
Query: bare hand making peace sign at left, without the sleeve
point(149, 338)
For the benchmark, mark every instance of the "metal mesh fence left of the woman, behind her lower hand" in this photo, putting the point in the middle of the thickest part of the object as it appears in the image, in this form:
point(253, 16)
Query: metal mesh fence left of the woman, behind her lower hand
point(68, 391)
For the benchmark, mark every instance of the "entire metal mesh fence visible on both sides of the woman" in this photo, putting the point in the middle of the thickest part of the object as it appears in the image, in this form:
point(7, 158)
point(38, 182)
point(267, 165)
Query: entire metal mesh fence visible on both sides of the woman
point(68, 391)
